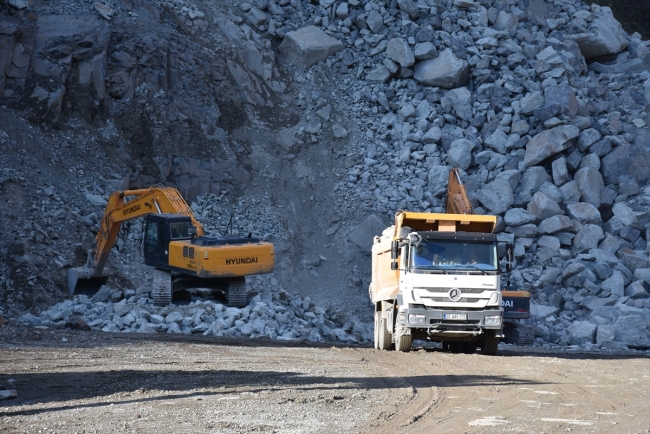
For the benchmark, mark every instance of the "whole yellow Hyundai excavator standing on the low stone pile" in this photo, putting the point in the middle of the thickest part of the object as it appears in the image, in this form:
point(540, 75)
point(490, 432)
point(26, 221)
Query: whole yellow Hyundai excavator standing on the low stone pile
point(182, 255)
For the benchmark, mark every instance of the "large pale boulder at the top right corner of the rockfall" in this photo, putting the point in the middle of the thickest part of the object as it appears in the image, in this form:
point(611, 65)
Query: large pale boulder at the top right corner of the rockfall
point(604, 37)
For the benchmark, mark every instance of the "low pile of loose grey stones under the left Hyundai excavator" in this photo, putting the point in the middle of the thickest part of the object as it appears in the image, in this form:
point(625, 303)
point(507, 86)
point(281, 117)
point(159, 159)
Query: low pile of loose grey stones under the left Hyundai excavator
point(271, 313)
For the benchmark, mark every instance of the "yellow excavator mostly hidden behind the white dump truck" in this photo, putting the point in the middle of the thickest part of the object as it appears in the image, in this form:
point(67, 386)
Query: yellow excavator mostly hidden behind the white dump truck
point(516, 303)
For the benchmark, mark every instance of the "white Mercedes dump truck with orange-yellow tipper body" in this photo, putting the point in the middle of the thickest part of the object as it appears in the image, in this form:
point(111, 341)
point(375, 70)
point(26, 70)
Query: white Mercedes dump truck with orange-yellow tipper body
point(436, 277)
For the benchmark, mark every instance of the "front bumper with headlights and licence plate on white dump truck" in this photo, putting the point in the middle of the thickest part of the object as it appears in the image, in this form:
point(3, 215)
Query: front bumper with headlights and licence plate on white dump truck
point(441, 321)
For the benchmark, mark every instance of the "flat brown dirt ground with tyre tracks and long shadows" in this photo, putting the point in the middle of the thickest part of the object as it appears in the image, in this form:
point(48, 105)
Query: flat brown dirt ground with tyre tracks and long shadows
point(88, 382)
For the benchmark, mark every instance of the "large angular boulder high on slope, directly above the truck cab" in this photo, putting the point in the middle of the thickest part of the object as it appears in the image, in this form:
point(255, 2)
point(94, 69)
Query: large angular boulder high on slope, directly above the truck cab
point(446, 71)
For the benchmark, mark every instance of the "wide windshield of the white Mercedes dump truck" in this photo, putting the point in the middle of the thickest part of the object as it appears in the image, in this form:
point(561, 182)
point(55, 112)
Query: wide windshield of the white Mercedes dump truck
point(454, 254)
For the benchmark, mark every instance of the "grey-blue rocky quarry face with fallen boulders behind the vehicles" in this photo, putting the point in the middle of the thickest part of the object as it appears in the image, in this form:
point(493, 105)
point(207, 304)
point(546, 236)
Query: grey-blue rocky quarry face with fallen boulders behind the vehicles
point(312, 123)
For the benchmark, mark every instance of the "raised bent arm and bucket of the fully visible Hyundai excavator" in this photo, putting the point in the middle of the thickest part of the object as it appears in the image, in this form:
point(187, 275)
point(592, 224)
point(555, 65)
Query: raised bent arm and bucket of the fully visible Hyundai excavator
point(154, 200)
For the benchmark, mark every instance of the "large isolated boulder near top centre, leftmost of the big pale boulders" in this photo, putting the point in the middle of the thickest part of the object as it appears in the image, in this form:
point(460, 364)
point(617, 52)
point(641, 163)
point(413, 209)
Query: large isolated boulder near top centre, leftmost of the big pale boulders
point(307, 46)
